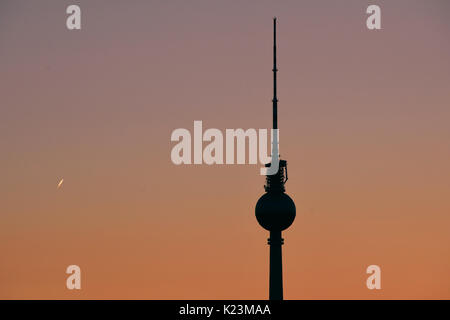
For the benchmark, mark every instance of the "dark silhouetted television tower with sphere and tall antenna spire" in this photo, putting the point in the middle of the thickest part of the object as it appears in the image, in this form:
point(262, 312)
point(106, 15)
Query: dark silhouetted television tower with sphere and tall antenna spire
point(275, 210)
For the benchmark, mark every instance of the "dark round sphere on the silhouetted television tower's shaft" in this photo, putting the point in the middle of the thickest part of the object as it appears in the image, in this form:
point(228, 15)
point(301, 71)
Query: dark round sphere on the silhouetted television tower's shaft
point(275, 211)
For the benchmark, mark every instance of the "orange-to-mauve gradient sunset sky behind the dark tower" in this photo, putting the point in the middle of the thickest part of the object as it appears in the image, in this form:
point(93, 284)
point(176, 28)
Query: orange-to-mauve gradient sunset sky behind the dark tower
point(364, 122)
